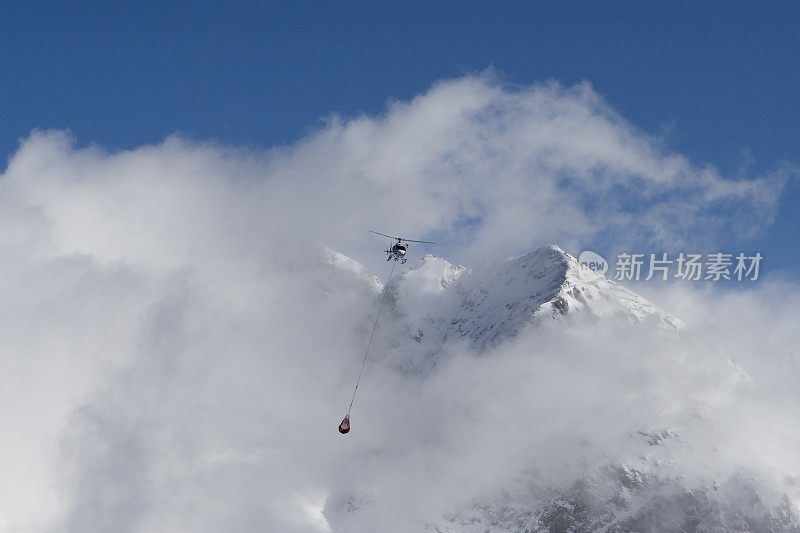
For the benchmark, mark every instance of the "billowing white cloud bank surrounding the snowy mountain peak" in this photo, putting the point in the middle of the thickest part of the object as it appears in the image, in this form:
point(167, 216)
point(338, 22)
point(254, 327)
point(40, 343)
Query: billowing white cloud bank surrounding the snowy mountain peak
point(176, 356)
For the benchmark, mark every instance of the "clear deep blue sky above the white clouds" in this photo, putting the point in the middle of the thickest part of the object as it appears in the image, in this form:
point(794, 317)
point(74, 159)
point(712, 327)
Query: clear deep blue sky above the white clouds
point(717, 80)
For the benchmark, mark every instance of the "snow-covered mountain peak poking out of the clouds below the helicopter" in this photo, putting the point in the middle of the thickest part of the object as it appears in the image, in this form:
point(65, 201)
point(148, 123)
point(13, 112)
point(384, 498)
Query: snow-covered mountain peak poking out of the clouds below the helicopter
point(435, 302)
